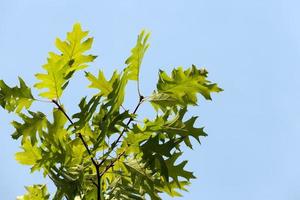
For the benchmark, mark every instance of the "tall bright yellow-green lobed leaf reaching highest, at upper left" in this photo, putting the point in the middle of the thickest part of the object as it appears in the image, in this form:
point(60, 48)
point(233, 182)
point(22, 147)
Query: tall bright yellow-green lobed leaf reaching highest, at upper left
point(61, 67)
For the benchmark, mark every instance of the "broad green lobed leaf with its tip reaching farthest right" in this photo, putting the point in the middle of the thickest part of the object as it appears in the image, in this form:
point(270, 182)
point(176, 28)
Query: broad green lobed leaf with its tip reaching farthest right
point(182, 87)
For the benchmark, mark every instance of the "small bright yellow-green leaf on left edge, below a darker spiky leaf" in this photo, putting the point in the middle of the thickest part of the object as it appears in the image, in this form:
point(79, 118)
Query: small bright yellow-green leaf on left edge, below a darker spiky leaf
point(30, 154)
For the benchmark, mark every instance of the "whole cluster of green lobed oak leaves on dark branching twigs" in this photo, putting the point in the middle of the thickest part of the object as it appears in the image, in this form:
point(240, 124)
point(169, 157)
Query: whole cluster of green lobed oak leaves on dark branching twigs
point(103, 151)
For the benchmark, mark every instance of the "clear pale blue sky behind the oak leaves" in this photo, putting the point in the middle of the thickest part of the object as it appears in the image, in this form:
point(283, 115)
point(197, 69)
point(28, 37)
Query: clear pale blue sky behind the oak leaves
point(251, 48)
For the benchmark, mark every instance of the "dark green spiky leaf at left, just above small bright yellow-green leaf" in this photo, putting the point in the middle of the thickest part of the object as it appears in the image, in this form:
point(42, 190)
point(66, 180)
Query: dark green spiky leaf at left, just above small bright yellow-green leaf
point(30, 126)
